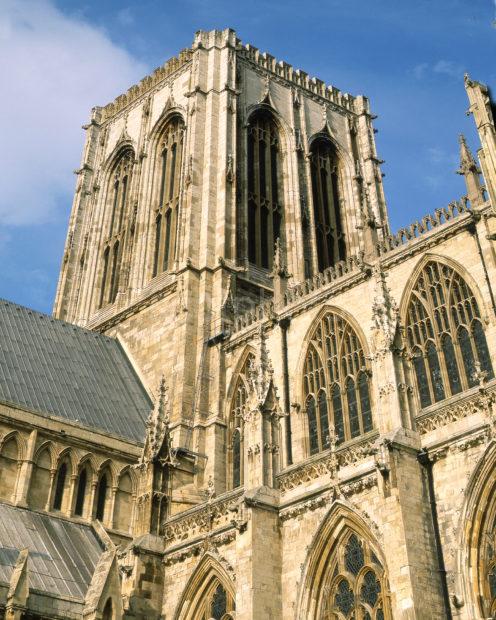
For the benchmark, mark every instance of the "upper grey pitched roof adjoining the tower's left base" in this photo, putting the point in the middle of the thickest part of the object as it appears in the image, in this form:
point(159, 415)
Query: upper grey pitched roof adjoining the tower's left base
point(59, 369)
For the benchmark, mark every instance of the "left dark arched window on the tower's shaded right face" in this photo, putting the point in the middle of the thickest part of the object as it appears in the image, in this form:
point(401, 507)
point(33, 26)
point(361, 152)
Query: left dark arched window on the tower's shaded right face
point(265, 195)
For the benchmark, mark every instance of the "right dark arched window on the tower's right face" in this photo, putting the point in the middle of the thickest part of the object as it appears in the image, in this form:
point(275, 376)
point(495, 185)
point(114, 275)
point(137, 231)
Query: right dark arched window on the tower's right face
point(326, 203)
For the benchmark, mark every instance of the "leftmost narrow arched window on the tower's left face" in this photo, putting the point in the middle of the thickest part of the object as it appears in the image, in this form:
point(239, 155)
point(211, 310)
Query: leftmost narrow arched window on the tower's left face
point(115, 226)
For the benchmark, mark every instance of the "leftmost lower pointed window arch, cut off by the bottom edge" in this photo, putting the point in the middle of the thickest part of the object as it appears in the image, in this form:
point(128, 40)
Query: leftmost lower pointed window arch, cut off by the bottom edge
point(199, 595)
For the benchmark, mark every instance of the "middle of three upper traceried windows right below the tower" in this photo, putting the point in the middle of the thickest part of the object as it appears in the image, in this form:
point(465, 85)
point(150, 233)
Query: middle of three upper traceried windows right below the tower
point(336, 384)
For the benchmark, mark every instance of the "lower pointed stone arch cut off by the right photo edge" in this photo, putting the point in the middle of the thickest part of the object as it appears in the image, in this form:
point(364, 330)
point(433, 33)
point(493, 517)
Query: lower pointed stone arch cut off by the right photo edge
point(477, 538)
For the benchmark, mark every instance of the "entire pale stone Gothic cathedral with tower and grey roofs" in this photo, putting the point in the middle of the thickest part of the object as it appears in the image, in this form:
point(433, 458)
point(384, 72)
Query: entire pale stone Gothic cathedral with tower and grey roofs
point(253, 400)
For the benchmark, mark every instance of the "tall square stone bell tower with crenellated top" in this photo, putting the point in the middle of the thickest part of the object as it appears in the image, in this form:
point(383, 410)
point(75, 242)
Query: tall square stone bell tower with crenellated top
point(194, 187)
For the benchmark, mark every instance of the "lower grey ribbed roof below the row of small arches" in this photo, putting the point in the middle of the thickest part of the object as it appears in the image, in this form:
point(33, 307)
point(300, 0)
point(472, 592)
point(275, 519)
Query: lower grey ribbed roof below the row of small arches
point(62, 555)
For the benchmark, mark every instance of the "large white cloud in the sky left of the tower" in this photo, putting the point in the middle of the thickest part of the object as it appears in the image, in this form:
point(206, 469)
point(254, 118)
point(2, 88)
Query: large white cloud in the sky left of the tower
point(54, 69)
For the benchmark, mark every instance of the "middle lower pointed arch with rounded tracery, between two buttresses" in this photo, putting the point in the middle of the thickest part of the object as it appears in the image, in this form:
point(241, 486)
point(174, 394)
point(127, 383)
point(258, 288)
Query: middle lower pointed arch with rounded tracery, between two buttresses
point(345, 570)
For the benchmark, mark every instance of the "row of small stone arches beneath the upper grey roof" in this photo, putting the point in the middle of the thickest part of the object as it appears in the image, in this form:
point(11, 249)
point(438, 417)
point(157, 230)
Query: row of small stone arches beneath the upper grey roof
point(62, 484)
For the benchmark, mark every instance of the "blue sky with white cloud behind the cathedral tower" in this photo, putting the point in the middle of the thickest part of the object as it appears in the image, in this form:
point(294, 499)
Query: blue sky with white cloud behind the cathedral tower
point(62, 57)
